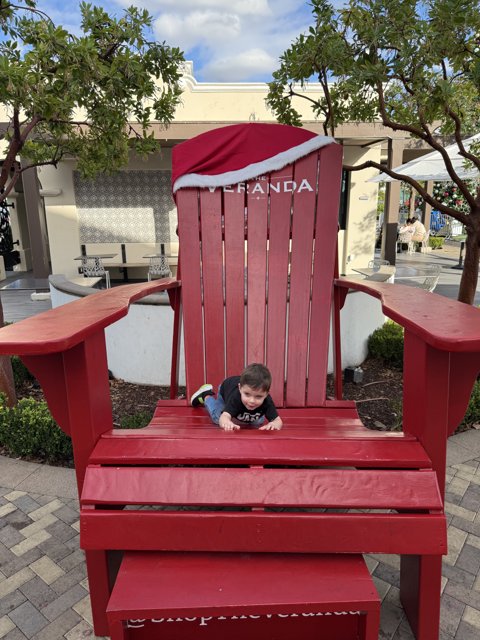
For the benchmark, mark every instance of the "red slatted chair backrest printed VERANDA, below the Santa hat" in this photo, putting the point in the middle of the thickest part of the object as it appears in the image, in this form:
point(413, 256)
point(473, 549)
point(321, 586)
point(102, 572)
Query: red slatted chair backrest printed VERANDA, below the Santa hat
point(257, 263)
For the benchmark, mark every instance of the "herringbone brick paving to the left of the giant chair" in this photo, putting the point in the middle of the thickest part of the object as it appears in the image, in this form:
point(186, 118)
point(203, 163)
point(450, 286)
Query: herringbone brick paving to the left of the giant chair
point(43, 586)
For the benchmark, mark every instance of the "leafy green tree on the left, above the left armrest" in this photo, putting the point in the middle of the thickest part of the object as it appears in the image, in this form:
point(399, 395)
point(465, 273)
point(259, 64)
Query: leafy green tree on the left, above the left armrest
point(91, 97)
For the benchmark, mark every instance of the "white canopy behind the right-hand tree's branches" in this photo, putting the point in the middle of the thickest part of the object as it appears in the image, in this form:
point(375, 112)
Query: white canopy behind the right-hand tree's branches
point(432, 167)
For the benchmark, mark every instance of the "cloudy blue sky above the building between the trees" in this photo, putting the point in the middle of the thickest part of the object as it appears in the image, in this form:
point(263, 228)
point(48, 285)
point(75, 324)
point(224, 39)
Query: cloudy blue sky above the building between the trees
point(228, 40)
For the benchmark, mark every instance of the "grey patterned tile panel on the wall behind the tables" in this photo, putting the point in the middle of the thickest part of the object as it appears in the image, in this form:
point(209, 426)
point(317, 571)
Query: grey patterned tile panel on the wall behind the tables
point(130, 206)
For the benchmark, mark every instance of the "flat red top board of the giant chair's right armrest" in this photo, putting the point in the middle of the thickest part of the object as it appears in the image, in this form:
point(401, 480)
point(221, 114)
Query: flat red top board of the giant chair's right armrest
point(447, 325)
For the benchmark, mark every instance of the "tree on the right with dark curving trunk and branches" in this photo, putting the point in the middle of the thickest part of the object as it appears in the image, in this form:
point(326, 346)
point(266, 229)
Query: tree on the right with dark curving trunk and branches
point(414, 66)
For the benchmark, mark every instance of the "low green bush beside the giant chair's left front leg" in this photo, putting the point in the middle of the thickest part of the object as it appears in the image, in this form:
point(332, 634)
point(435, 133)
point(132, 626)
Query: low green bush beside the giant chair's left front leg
point(28, 430)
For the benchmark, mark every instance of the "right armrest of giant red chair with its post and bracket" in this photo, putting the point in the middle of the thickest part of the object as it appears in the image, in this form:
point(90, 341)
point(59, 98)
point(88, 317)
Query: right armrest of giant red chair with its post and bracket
point(441, 360)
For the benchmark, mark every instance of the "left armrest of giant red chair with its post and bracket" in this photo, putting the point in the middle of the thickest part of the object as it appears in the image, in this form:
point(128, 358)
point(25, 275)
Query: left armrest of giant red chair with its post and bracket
point(65, 350)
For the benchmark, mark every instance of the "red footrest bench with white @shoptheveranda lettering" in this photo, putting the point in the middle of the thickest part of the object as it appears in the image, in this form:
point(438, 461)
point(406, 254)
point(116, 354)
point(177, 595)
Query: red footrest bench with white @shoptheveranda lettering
point(214, 596)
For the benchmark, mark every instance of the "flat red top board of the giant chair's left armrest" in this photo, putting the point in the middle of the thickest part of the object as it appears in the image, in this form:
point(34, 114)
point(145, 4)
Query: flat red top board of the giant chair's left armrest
point(64, 327)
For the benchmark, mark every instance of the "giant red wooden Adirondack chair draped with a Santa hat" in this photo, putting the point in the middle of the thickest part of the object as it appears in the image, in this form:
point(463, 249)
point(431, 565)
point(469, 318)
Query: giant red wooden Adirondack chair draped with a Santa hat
point(257, 224)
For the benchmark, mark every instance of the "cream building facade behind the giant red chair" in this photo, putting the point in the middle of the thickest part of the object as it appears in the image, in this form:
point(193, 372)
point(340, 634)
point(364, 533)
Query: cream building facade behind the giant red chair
point(132, 213)
